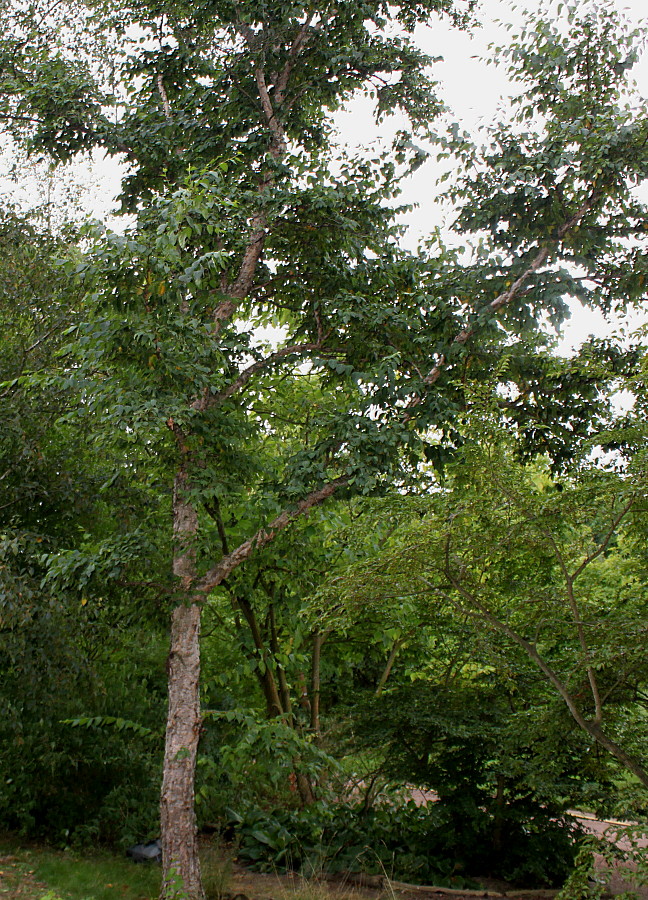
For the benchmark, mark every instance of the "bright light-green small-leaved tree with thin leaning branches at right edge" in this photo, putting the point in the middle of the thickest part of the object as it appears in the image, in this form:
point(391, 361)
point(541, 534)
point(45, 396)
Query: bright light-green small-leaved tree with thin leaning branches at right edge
point(549, 568)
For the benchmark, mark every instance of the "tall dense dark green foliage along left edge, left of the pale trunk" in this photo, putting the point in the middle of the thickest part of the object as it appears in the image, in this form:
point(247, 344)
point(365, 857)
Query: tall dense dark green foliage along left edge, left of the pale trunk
point(68, 642)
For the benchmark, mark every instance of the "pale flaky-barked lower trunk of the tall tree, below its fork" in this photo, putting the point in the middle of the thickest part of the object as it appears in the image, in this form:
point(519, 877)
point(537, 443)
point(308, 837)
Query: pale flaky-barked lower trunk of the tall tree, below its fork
point(180, 863)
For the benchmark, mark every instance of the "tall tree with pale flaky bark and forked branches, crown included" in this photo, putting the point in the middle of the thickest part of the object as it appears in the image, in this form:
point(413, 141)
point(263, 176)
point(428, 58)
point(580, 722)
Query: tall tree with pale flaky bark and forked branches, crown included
point(249, 217)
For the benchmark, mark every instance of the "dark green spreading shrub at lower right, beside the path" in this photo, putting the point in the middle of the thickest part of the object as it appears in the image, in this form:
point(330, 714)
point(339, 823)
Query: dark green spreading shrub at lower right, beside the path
point(503, 770)
